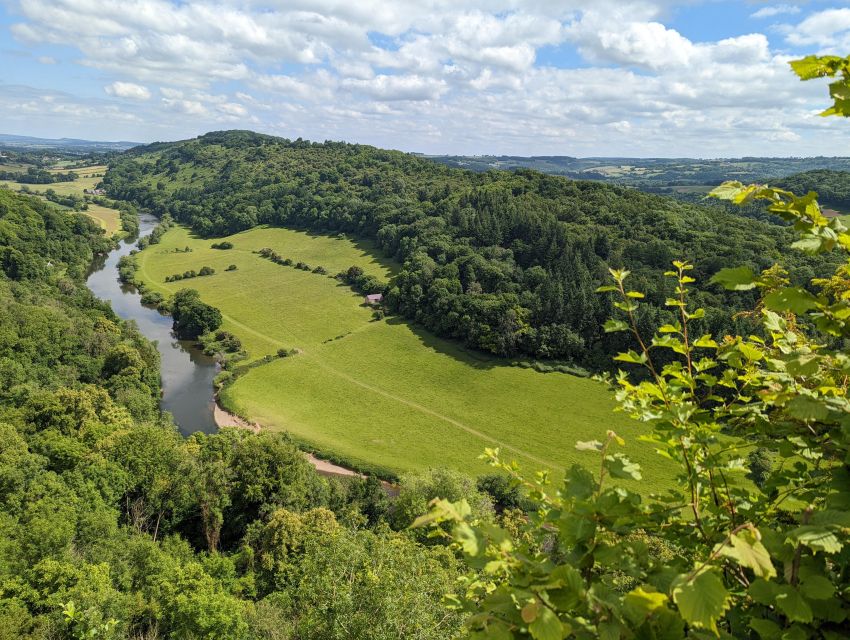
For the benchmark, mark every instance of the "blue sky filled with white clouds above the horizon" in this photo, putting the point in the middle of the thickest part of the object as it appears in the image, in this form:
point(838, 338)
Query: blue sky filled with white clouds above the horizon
point(563, 77)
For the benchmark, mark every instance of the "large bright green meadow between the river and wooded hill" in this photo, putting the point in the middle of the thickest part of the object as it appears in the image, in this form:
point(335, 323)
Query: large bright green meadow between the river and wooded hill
point(378, 394)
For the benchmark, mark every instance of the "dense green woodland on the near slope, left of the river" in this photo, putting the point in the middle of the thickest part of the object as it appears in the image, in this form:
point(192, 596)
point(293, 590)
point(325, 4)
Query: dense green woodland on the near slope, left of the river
point(112, 525)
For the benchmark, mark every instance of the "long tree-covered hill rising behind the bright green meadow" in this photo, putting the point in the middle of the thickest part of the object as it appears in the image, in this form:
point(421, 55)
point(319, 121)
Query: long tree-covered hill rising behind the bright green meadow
point(505, 261)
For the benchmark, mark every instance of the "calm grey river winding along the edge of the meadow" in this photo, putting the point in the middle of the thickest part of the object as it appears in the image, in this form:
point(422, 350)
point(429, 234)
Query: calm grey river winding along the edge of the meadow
point(187, 374)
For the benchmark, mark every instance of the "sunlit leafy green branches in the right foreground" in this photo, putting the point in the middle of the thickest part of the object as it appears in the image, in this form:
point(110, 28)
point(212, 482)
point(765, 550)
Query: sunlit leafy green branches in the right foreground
point(724, 552)
